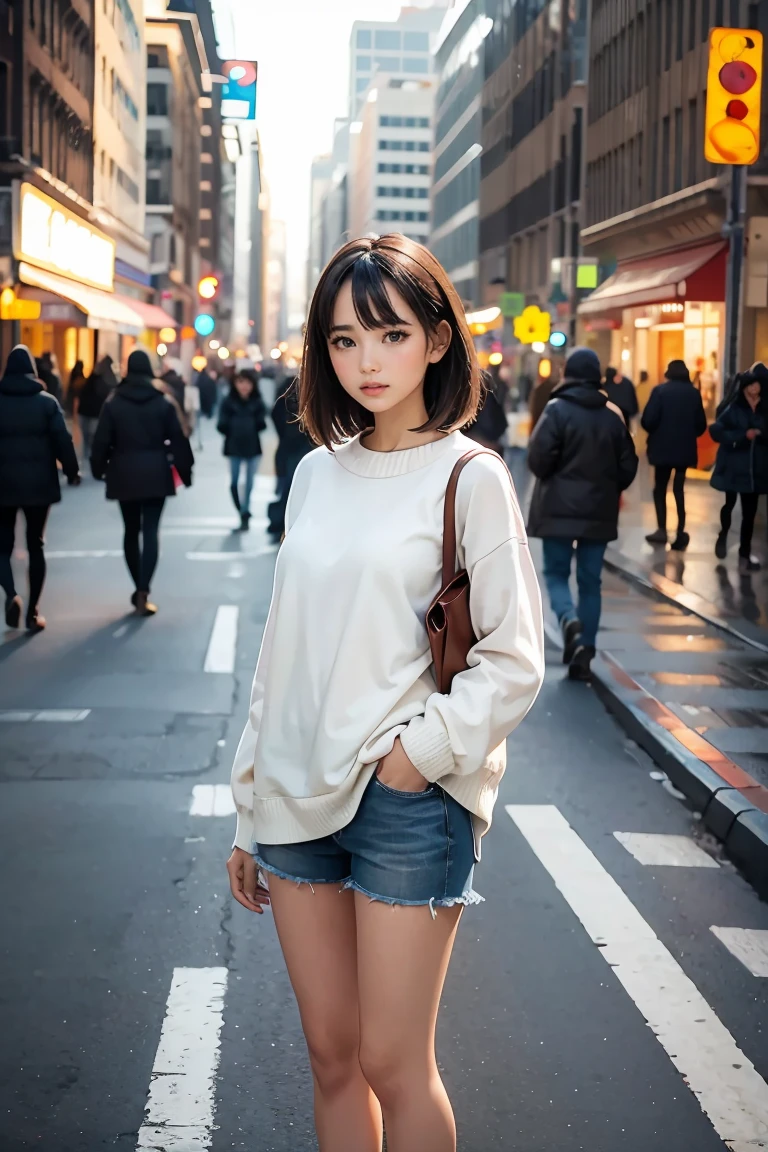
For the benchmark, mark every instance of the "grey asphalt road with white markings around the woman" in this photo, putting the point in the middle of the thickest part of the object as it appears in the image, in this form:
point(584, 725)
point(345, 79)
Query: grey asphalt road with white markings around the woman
point(609, 996)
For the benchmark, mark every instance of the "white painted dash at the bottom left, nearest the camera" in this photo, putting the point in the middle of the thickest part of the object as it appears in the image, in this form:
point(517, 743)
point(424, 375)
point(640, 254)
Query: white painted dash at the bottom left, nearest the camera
point(183, 1094)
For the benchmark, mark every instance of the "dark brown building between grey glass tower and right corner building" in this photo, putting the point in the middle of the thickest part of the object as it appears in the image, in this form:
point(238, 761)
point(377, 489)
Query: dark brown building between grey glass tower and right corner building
point(534, 100)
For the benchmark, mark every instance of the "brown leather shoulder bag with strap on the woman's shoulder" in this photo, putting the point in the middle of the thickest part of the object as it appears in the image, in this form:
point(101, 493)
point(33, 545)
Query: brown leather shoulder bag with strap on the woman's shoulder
point(450, 625)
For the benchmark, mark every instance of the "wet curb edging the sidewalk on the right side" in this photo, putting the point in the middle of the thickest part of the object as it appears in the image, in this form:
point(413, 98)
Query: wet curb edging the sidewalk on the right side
point(734, 807)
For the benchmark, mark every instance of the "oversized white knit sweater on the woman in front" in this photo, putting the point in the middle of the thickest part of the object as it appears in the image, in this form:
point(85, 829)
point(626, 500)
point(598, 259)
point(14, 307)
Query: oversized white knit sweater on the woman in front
point(345, 666)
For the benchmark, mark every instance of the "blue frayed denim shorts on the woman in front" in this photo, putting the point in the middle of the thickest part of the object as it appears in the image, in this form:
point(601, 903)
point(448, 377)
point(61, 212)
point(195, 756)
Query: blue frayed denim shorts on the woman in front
point(401, 848)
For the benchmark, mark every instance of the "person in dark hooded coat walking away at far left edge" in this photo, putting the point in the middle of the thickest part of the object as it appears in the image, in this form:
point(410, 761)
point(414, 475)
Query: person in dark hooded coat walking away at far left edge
point(33, 438)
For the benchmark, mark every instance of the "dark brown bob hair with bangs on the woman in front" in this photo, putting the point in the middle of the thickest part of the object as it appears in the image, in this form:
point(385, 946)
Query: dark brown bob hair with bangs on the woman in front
point(452, 388)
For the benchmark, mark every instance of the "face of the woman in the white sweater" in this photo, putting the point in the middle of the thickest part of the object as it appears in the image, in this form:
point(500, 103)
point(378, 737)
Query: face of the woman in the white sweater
point(382, 368)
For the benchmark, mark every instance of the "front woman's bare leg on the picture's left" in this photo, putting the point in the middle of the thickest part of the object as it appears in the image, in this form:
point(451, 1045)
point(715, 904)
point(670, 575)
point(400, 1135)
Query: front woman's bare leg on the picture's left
point(318, 939)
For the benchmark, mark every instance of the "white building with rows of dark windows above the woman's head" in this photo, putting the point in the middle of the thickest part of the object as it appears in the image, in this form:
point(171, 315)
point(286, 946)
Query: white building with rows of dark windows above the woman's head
point(391, 160)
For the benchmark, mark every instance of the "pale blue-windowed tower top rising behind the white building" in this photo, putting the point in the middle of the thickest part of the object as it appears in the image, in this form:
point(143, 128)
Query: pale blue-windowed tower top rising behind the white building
point(401, 48)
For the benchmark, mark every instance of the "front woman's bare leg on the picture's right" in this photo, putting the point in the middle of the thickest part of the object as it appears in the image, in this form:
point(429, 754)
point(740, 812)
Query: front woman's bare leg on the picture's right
point(402, 960)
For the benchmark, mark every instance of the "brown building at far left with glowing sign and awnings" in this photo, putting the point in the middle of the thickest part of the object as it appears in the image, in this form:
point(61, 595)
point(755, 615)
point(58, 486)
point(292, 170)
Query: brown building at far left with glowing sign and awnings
point(57, 257)
